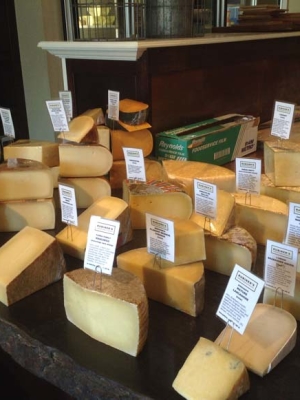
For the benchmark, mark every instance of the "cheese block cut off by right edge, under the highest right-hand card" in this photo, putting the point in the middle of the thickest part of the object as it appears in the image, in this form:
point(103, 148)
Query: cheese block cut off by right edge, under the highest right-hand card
point(280, 157)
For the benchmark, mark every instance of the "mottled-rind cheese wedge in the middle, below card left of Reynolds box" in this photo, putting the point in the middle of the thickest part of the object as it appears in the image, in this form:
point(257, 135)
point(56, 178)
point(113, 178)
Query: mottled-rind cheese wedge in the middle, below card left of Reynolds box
point(155, 197)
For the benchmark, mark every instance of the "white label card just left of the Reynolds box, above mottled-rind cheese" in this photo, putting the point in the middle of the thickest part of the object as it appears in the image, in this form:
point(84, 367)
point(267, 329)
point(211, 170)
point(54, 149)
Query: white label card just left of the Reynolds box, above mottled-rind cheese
point(135, 164)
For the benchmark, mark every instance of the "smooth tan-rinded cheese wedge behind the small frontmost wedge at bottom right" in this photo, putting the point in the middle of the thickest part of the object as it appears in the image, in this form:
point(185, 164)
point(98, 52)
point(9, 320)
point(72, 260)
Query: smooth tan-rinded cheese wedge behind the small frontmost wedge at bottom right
point(269, 337)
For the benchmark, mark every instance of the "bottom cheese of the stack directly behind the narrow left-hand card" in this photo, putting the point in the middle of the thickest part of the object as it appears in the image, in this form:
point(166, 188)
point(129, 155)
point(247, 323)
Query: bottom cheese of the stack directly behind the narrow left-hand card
point(88, 190)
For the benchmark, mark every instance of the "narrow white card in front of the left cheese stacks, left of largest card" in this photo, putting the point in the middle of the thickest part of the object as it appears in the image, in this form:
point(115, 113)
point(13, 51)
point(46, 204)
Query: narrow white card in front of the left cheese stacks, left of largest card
point(68, 204)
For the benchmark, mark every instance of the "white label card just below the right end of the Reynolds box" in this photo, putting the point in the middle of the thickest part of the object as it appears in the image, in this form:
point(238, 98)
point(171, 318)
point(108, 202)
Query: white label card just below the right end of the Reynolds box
point(248, 175)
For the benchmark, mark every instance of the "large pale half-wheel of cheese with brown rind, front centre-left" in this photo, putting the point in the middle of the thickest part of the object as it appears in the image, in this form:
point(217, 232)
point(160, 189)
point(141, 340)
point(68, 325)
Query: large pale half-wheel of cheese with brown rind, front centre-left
point(115, 313)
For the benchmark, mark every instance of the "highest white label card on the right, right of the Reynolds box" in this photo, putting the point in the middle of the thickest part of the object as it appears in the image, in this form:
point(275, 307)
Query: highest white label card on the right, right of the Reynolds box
point(282, 119)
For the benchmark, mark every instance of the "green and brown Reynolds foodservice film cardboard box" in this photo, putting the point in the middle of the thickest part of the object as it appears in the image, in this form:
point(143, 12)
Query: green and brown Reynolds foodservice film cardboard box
point(216, 141)
